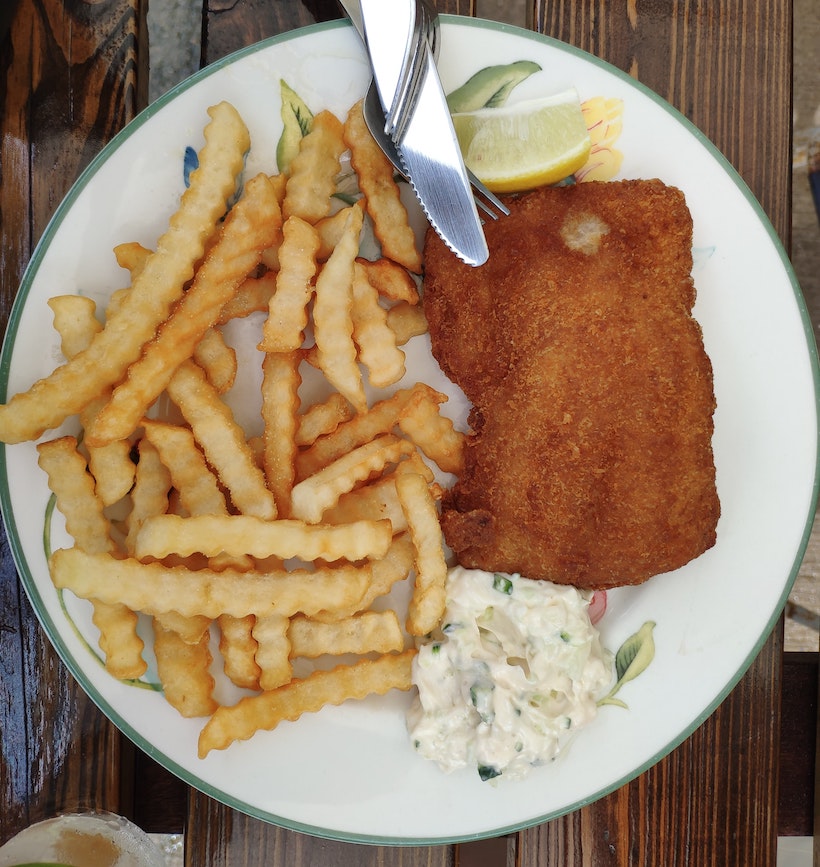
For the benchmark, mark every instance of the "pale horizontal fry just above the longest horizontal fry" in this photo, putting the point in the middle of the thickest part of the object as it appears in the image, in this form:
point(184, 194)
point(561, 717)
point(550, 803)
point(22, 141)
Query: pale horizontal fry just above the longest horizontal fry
point(244, 534)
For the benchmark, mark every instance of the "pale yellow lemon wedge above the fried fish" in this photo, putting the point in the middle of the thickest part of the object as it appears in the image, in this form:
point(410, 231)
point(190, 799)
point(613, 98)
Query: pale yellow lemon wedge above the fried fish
point(524, 145)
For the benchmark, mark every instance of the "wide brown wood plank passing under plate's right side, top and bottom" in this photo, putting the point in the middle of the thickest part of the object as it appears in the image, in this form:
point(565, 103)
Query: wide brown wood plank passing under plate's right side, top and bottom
point(705, 60)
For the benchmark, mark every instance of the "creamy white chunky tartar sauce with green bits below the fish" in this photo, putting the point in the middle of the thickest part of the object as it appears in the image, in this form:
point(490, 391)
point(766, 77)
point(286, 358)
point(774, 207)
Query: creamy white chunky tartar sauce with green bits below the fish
point(514, 671)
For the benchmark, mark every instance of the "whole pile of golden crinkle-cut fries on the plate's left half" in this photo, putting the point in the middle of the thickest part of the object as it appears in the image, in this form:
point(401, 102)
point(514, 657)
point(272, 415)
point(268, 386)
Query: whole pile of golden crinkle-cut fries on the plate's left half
point(280, 544)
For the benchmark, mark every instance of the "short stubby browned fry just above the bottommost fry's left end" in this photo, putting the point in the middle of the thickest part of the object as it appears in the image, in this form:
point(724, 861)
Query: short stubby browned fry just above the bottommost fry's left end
point(184, 672)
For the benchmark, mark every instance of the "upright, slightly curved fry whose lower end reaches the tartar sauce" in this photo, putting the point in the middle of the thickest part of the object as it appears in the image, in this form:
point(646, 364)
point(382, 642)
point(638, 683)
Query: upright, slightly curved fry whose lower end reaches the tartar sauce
point(426, 607)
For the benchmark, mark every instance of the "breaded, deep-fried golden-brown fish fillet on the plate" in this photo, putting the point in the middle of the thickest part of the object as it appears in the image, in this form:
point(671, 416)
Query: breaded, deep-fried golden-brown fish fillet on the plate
point(591, 456)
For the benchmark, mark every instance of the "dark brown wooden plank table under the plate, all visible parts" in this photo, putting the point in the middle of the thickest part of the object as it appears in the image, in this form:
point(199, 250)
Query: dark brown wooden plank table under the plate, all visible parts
point(72, 73)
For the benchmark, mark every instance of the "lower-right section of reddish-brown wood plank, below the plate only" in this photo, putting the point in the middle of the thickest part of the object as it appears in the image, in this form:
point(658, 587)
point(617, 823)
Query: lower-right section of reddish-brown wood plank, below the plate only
point(729, 763)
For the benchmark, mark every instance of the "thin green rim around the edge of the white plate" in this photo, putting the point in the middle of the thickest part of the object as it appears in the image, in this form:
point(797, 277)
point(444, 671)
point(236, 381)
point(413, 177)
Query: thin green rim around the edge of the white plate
point(27, 579)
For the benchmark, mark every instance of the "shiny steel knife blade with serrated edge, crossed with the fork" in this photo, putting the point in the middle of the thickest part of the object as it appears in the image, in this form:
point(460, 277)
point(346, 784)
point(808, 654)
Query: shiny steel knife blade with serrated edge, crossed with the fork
point(429, 148)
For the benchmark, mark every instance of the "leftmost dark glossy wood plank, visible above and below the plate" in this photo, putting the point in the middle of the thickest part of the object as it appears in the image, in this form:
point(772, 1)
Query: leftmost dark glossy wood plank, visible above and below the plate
point(68, 82)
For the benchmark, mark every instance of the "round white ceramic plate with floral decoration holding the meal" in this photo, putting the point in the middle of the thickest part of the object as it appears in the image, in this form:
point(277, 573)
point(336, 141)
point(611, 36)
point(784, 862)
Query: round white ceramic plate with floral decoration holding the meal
point(349, 772)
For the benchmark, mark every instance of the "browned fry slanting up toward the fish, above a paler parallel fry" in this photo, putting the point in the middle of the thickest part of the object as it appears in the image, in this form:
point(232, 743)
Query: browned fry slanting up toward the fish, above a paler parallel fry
point(381, 418)
